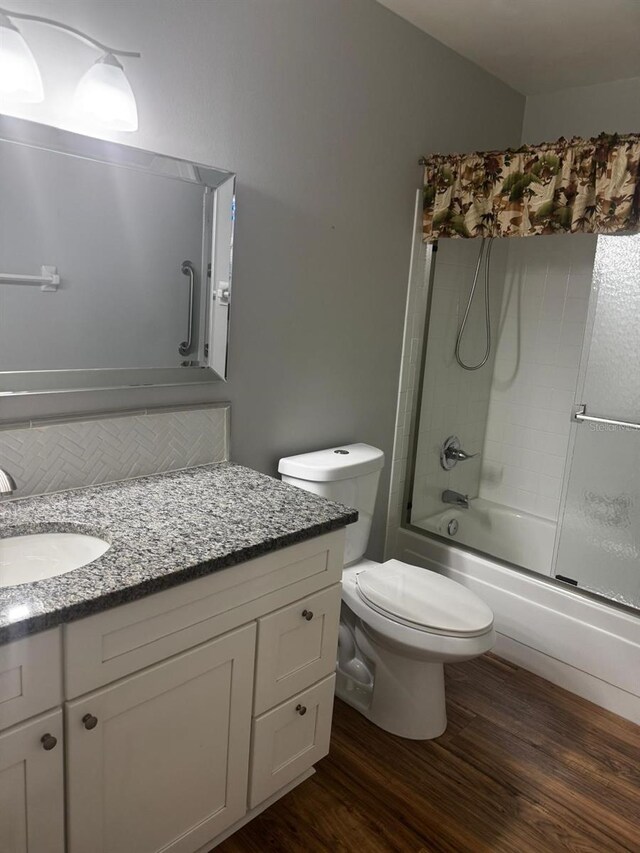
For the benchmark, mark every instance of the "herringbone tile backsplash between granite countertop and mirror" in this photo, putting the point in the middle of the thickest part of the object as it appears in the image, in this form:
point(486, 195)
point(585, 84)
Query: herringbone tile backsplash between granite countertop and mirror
point(52, 457)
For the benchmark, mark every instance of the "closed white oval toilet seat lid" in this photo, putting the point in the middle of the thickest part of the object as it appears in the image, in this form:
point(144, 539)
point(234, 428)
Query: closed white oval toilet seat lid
point(423, 600)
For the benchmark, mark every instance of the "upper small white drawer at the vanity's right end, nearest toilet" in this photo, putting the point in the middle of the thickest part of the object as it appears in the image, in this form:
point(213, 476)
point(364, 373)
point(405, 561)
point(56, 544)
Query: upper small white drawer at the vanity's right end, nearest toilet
point(296, 647)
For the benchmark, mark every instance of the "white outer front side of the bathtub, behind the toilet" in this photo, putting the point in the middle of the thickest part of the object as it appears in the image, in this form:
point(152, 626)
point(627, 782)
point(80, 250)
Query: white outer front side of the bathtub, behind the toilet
point(583, 645)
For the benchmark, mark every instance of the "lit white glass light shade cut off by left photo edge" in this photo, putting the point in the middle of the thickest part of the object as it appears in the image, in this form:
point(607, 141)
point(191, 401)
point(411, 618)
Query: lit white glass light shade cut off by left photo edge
point(19, 73)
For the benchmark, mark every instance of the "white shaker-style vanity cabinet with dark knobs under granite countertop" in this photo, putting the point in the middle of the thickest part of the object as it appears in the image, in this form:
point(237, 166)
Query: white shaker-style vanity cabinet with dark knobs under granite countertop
point(185, 712)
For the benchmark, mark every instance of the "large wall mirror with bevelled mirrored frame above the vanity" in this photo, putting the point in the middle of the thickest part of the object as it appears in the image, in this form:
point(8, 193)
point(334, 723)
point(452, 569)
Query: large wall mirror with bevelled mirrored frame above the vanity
point(115, 264)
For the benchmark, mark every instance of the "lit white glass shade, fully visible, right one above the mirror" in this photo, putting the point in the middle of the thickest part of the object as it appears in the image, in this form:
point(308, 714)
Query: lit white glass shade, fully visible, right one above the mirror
point(104, 95)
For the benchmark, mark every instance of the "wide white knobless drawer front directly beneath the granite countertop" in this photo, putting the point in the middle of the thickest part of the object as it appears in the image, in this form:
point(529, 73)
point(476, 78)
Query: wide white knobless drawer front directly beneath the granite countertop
point(110, 645)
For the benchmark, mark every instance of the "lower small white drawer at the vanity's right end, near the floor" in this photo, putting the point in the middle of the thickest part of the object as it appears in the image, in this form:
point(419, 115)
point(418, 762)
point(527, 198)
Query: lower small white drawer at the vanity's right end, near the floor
point(289, 739)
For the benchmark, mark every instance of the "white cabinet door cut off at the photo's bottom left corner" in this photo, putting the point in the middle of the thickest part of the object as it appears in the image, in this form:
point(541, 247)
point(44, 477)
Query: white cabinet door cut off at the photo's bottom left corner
point(32, 787)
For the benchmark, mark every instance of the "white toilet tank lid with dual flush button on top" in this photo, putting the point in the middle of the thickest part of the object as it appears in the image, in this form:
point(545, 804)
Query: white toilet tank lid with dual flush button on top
point(334, 463)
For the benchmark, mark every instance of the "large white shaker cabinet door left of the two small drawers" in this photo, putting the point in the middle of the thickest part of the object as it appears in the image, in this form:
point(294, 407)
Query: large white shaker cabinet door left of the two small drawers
point(159, 761)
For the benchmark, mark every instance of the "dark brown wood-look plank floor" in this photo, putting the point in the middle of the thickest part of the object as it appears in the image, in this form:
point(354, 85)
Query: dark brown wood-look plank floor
point(523, 766)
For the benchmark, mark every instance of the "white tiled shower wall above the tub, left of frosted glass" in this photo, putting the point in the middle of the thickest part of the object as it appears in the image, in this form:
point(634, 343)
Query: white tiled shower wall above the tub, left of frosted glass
point(517, 409)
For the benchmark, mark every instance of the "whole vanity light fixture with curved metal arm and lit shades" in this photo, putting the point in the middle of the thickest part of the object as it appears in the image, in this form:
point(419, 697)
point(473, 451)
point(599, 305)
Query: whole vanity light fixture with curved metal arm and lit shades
point(103, 95)
